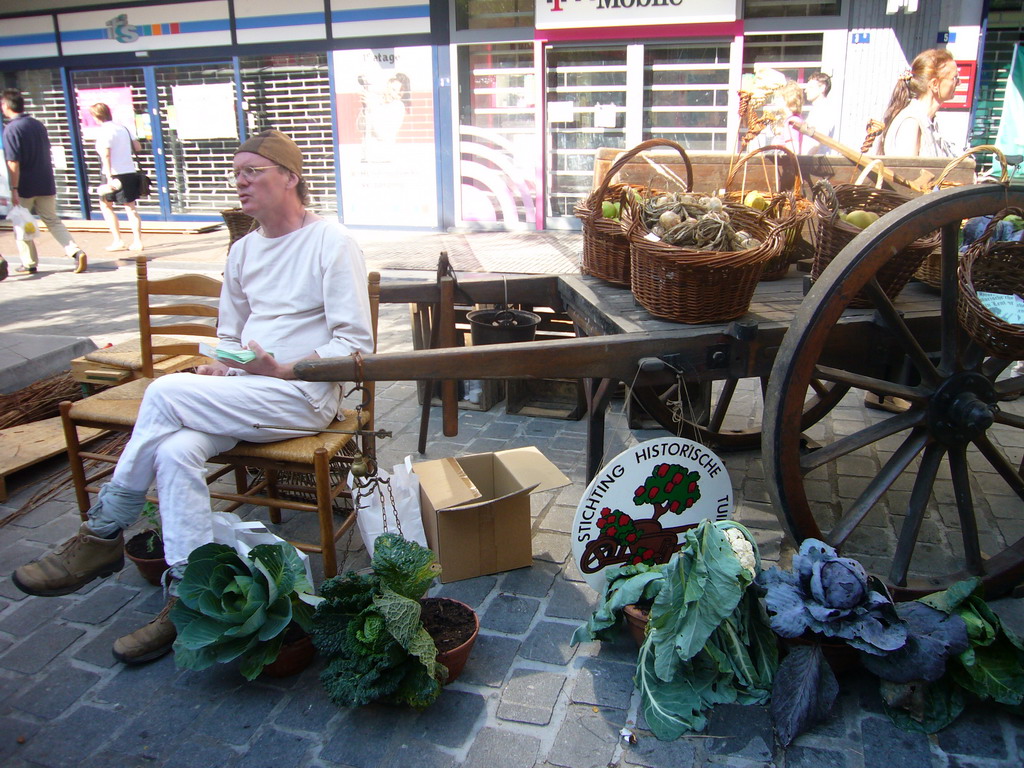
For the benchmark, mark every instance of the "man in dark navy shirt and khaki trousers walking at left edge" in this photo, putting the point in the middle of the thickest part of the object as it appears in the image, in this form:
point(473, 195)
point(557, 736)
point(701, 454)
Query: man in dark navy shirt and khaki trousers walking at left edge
point(27, 147)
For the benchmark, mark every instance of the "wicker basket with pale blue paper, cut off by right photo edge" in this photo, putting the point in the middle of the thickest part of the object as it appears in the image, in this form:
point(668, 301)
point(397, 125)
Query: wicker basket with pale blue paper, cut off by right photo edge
point(996, 268)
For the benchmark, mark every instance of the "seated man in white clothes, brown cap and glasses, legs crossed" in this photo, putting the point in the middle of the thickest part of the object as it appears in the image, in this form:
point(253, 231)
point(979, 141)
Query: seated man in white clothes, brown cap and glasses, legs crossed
point(295, 289)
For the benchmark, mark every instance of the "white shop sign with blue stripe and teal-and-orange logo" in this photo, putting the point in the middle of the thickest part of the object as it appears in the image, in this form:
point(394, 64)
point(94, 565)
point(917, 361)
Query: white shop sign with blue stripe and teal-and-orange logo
point(146, 28)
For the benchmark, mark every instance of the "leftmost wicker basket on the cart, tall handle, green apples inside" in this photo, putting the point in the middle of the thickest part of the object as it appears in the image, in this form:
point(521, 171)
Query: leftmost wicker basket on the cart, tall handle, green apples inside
point(606, 246)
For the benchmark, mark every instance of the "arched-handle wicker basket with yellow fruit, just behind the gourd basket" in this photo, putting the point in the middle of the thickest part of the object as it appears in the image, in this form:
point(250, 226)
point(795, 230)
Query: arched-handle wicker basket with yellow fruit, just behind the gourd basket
point(787, 207)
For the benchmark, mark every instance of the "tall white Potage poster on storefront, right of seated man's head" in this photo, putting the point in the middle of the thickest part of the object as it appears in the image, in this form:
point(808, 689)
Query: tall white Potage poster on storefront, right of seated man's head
point(387, 137)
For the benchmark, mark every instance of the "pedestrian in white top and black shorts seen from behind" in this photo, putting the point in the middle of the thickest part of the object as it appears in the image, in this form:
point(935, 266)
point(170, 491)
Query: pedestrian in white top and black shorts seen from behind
point(115, 146)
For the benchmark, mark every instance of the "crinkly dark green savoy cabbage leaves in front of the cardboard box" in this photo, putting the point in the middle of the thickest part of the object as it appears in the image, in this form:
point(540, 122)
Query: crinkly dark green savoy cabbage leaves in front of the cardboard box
point(369, 629)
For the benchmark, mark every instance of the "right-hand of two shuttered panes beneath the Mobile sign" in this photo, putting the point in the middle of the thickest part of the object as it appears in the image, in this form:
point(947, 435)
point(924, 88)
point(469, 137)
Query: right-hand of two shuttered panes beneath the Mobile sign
point(687, 96)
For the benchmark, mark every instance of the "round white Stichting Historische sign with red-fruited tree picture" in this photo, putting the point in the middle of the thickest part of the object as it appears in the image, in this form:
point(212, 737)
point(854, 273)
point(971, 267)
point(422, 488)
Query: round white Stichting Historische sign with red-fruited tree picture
point(639, 507)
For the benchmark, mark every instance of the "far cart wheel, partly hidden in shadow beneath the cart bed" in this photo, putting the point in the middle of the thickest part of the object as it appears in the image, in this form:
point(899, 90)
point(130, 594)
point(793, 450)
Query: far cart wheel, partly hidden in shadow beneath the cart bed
point(711, 415)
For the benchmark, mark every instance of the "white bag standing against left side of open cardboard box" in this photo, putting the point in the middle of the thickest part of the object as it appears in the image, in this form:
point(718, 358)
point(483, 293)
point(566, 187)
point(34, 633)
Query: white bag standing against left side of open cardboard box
point(371, 508)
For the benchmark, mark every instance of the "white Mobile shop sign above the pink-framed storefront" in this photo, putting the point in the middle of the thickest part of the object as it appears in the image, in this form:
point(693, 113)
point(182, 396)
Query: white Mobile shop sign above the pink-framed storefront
point(560, 15)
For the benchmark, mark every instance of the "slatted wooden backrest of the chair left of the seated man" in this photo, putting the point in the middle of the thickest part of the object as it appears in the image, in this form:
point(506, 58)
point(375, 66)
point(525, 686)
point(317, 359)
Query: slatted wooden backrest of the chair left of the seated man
point(195, 287)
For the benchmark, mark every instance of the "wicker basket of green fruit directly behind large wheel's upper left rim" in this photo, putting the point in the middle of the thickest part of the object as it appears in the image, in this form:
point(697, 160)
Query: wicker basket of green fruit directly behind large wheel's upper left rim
point(833, 235)
